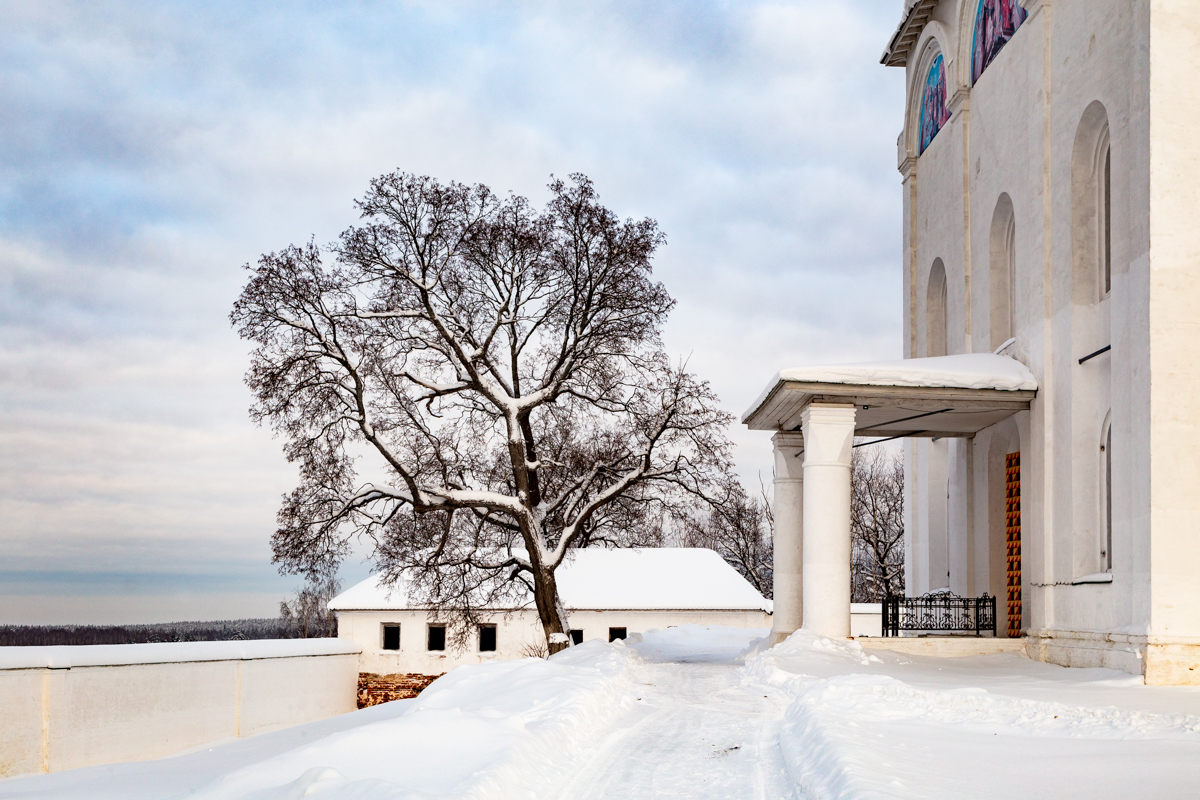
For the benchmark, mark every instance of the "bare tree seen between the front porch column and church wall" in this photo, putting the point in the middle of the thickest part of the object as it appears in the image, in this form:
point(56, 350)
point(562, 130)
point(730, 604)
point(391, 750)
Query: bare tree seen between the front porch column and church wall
point(877, 522)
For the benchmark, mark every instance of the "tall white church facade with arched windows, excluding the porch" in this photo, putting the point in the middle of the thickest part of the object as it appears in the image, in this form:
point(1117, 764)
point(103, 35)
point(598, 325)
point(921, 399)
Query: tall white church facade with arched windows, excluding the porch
point(1058, 206)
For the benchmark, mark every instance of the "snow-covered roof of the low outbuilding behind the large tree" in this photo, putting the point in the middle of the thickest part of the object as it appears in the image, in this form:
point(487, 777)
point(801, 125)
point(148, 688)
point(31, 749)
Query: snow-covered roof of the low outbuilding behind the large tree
point(626, 579)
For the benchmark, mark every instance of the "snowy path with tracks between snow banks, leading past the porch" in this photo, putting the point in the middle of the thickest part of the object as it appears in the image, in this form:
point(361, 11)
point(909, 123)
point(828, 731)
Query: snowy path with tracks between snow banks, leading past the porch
point(693, 731)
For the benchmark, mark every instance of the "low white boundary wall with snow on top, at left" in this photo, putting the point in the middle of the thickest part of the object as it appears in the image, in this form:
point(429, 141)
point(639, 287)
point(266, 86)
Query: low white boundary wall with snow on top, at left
point(69, 707)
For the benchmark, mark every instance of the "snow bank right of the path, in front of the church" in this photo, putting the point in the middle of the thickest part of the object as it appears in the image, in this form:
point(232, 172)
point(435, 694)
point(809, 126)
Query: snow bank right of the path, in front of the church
point(854, 731)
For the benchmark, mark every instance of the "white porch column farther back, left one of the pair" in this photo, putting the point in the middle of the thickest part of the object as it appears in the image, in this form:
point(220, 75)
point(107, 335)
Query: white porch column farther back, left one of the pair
point(789, 536)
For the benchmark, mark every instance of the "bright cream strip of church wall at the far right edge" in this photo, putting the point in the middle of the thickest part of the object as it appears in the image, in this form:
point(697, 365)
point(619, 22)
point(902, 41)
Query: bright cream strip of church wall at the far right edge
point(1174, 278)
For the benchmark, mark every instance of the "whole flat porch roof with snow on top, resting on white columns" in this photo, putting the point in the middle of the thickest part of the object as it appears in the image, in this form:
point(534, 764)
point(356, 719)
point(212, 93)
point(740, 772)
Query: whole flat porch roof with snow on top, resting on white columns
point(944, 396)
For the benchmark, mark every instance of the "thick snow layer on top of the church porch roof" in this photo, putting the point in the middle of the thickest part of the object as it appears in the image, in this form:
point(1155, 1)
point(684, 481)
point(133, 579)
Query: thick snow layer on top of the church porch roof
point(980, 371)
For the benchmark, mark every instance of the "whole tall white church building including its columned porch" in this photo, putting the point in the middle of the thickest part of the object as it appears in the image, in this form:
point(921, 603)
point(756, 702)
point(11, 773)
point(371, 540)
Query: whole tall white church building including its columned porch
point(1049, 399)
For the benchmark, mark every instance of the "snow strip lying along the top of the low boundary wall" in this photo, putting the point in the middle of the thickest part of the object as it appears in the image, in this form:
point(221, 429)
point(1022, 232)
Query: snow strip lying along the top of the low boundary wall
point(115, 655)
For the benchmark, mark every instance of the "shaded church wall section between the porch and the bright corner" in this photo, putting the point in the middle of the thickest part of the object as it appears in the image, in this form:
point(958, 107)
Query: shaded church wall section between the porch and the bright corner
point(1096, 62)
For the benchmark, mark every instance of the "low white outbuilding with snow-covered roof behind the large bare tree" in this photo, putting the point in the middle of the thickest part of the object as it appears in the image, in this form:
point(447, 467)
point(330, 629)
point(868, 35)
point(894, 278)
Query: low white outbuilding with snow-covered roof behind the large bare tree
point(608, 594)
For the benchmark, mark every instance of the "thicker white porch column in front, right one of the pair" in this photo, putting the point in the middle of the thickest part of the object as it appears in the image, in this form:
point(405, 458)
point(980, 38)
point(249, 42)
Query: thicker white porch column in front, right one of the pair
point(829, 438)
